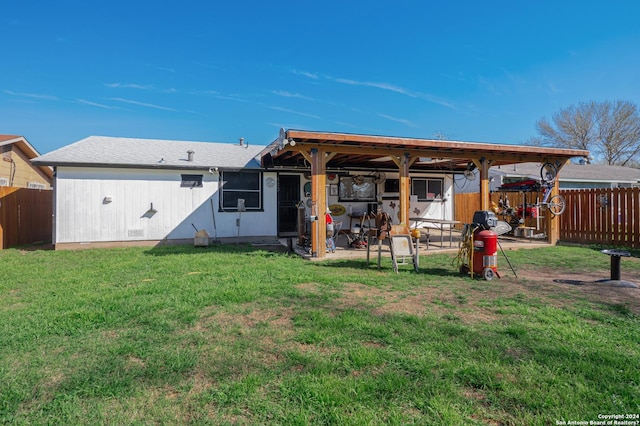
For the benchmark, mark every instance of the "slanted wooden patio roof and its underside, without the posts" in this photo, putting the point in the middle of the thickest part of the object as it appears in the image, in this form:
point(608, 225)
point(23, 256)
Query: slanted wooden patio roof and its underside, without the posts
point(354, 151)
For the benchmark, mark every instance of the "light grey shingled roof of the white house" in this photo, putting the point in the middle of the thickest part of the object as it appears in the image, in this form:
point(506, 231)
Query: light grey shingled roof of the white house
point(101, 151)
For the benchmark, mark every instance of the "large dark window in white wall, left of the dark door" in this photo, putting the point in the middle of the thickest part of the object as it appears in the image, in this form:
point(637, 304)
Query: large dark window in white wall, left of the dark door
point(241, 185)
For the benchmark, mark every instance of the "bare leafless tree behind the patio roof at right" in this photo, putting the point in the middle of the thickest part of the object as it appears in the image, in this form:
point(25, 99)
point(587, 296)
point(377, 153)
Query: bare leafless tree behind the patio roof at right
point(610, 130)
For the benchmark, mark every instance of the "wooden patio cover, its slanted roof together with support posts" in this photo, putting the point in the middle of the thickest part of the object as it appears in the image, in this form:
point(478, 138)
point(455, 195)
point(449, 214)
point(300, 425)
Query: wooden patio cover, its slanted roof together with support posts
point(300, 150)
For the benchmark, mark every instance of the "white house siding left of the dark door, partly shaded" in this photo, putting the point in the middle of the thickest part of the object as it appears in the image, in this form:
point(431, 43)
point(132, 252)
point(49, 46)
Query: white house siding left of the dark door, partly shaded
point(83, 216)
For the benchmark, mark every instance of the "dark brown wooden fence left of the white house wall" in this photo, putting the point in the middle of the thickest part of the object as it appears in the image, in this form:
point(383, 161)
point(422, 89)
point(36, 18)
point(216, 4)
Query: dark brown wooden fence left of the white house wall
point(25, 216)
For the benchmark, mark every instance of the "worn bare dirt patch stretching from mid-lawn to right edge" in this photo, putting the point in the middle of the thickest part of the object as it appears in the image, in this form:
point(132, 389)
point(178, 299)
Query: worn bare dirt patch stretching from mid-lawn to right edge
point(475, 303)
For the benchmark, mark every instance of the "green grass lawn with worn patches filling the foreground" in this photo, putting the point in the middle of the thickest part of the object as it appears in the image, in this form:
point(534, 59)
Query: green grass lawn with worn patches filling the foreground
point(234, 335)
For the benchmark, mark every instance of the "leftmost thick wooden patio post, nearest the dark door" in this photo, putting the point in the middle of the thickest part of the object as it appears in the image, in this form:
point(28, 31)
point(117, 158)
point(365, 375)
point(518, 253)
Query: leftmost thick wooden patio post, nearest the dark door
point(318, 202)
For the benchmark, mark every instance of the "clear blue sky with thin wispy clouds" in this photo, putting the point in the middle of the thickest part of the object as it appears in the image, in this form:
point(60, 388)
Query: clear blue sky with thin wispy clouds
point(482, 71)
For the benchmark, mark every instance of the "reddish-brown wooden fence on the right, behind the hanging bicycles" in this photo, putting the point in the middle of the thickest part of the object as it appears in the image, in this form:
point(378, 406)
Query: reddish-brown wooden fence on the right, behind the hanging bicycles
point(592, 216)
